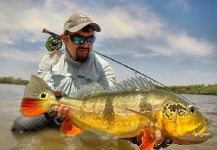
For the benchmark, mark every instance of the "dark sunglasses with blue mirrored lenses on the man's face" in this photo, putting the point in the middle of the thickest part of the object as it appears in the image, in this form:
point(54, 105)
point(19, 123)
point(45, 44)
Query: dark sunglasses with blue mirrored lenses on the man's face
point(79, 40)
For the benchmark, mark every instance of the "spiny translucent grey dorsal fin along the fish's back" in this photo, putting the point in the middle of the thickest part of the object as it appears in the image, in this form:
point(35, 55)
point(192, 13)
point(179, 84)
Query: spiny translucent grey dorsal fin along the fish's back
point(132, 84)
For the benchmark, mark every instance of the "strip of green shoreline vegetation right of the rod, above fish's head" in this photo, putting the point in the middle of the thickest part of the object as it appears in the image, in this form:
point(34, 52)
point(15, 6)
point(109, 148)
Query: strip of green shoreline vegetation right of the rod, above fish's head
point(210, 89)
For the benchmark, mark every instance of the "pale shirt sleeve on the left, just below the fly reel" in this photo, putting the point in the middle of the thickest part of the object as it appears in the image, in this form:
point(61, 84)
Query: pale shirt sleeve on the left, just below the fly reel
point(45, 68)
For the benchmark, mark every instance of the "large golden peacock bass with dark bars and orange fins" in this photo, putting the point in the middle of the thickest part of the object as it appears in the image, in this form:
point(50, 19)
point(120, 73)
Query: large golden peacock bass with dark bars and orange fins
point(122, 111)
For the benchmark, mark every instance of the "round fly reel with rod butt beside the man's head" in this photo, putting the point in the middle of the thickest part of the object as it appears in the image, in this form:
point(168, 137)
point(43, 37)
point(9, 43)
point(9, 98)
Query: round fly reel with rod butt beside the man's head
point(54, 42)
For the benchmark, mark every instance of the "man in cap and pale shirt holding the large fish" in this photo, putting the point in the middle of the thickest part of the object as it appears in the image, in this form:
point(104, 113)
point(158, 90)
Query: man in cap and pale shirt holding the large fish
point(69, 71)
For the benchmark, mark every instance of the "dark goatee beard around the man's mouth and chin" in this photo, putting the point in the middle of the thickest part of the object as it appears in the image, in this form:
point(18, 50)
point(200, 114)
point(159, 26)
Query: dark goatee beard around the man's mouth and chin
point(82, 54)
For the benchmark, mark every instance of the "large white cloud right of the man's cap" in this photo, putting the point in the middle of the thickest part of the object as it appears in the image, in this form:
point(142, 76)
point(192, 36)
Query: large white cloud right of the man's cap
point(151, 33)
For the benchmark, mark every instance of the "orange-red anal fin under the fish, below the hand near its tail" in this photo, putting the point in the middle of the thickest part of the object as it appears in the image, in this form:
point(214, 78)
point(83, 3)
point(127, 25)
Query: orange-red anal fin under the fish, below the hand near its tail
point(69, 128)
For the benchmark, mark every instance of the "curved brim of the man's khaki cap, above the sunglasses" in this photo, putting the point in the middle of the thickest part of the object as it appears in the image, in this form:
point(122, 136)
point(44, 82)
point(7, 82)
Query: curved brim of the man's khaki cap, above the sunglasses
point(80, 26)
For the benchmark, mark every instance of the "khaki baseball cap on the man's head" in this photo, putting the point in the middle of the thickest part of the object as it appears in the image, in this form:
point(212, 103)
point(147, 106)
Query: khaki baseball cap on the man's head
point(77, 21)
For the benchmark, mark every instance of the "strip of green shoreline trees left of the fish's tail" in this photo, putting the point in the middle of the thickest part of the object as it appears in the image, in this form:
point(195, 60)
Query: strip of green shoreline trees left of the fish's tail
point(11, 80)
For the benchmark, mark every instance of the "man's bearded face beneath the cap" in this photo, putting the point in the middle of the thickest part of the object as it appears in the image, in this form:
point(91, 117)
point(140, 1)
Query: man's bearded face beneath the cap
point(79, 52)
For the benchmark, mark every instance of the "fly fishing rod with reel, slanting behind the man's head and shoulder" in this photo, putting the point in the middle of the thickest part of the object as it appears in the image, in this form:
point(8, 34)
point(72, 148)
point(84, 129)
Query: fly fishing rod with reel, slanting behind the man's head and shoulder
point(54, 42)
